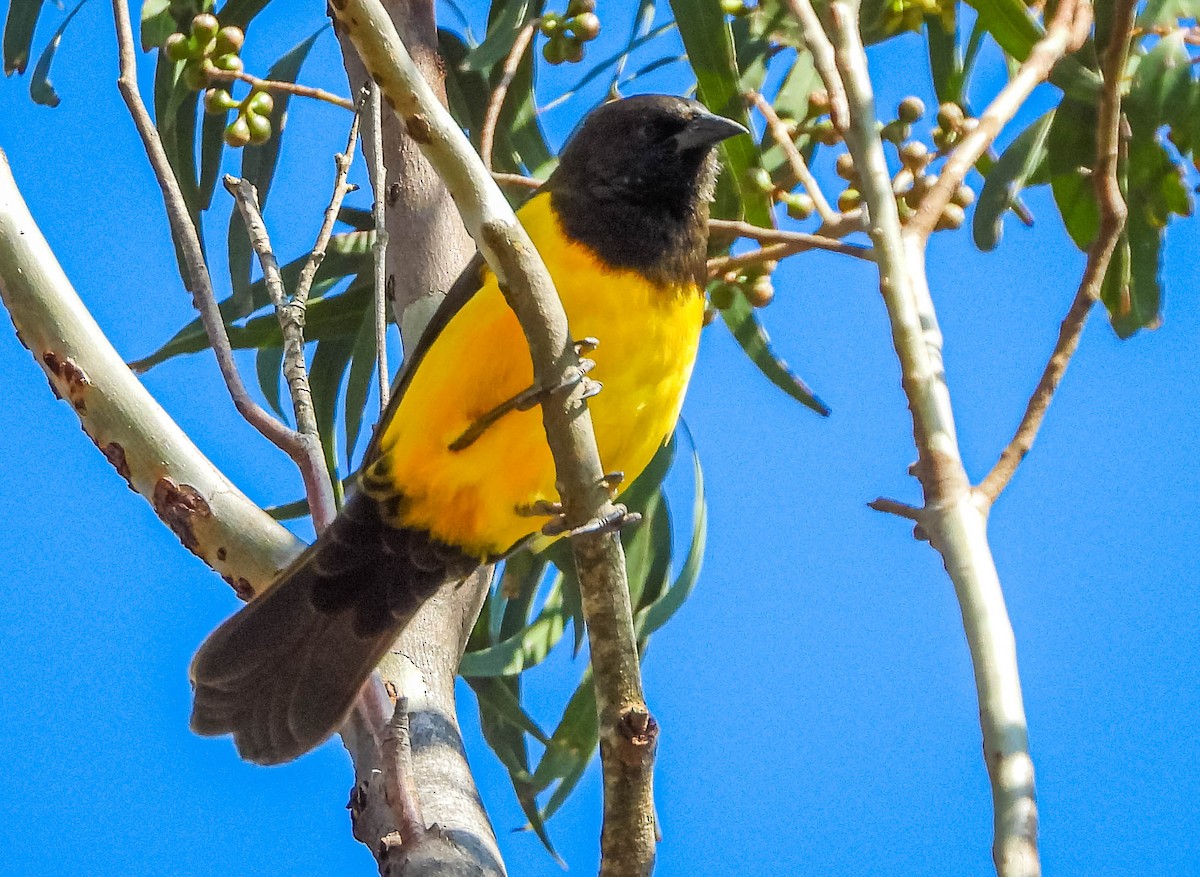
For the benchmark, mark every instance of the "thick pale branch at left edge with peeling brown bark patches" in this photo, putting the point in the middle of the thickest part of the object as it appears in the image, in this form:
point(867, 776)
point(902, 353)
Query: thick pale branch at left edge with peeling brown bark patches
point(212, 518)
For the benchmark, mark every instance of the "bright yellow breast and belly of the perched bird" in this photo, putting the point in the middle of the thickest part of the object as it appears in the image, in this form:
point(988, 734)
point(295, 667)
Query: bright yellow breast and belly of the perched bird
point(472, 498)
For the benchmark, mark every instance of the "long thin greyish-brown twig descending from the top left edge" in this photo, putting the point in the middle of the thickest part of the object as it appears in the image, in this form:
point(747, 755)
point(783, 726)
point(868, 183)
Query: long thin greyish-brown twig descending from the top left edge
point(307, 456)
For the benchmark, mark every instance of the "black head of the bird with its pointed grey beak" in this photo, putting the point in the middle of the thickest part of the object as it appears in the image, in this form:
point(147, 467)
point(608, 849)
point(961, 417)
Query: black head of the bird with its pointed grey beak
point(635, 181)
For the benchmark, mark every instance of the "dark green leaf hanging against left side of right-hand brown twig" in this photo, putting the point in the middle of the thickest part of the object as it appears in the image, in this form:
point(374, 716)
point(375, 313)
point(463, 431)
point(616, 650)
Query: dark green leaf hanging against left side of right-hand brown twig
point(1071, 153)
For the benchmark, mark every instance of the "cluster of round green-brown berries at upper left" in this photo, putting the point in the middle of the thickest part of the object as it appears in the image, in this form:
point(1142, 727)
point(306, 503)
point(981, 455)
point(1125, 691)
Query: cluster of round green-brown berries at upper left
point(209, 49)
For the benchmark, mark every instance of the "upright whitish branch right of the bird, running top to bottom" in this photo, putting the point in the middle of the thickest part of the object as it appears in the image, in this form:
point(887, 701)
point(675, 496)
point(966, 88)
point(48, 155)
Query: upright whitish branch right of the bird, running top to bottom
point(953, 521)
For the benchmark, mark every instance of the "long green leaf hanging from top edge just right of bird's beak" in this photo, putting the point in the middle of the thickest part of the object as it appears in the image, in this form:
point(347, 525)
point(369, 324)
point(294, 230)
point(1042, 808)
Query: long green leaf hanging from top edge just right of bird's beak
point(710, 44)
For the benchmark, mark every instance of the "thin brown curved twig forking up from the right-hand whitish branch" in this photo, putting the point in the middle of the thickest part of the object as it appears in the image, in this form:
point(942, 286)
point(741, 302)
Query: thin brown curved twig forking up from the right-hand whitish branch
point(1100, 256)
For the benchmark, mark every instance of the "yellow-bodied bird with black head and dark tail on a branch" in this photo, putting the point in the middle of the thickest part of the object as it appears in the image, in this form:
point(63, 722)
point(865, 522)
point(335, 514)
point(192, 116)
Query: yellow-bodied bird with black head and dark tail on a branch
point(458, 473)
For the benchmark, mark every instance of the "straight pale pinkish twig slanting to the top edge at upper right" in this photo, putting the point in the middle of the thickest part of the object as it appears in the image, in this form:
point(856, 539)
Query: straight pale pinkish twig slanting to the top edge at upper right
point(1066, 33)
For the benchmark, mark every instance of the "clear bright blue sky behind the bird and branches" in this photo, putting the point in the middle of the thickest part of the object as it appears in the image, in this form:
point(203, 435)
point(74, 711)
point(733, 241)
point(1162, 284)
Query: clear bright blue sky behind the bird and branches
point(815, 695)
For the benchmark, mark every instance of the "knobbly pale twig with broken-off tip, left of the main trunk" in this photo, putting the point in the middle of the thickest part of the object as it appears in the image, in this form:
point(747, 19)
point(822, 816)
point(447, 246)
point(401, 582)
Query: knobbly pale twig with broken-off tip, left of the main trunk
point(321, 496)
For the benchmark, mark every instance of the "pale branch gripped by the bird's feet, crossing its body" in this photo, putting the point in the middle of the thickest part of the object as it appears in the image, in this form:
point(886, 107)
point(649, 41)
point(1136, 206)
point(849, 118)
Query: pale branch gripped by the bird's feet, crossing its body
point(627, 731)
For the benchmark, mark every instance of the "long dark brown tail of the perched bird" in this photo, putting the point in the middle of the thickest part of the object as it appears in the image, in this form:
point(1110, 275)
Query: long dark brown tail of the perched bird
point(283, 674)
